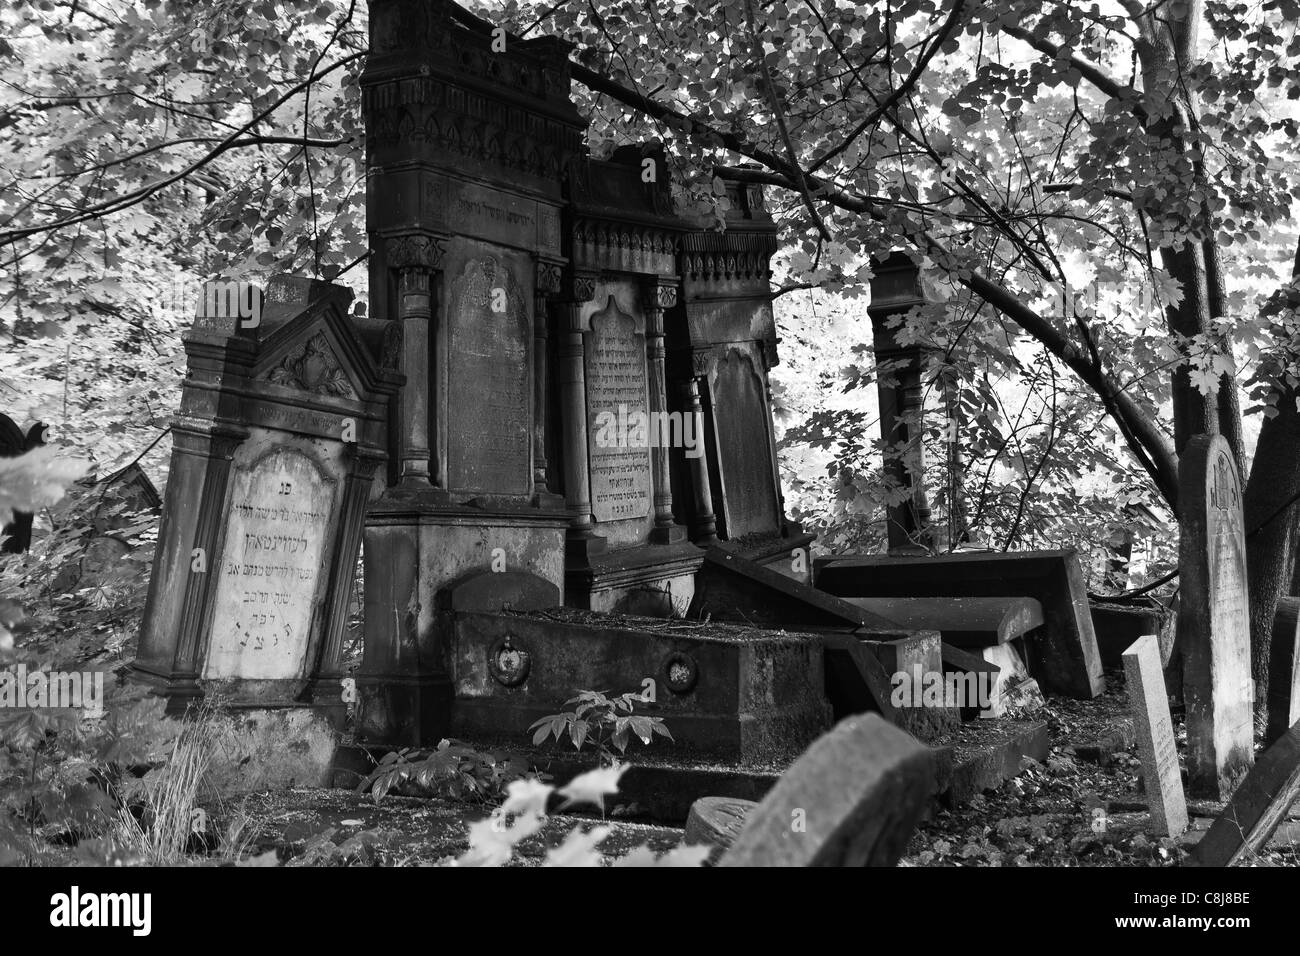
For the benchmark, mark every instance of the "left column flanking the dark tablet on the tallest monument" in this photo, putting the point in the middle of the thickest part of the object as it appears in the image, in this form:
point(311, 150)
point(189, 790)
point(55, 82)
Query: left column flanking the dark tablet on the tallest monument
point(415, 258)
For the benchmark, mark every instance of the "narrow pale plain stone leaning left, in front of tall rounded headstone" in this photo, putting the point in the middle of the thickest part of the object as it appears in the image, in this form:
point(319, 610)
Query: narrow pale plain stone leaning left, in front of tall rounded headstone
point(1150, 703)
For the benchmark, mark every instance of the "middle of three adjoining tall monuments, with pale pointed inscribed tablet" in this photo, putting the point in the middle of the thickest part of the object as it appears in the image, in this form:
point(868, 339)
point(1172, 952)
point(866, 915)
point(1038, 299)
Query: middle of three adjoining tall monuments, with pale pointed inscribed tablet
point(626, 551)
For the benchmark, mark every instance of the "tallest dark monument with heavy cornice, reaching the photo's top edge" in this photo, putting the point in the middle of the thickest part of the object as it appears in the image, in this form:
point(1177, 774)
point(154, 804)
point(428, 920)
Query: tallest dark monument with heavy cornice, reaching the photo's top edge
point(467, 148)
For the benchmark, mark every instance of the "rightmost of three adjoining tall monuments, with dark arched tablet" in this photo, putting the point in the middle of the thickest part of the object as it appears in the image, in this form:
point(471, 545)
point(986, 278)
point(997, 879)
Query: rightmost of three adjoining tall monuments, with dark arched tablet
point(722, 347)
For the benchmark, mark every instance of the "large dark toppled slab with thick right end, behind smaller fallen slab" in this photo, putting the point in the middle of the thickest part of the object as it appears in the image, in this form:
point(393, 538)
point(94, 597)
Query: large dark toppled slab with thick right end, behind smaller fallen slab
point(1065, 657)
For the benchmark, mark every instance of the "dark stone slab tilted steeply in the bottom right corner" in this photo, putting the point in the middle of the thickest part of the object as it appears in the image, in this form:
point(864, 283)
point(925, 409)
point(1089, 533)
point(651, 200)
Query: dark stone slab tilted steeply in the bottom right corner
point(1258, 807)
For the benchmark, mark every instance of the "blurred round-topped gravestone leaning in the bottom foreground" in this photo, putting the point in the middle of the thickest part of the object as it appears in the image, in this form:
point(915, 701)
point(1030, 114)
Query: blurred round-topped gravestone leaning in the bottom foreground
point(852, 799)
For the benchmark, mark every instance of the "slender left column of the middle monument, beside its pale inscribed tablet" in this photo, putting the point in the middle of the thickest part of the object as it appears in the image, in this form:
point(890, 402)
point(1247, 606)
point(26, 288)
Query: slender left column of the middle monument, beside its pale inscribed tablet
point(573, 380)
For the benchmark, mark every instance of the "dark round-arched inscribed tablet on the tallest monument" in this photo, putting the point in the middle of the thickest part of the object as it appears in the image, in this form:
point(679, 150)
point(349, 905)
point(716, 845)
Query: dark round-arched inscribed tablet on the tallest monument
point(491, 382)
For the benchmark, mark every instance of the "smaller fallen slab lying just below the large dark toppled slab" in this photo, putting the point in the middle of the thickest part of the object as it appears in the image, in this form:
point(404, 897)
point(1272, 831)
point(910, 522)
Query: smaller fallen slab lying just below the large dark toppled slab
point(965, 622)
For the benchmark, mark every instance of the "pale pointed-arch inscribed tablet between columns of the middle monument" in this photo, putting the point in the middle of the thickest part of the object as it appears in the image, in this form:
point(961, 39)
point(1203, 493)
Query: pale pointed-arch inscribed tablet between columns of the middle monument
point(617, 417)
